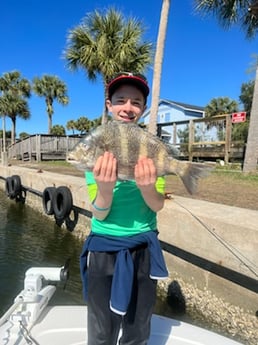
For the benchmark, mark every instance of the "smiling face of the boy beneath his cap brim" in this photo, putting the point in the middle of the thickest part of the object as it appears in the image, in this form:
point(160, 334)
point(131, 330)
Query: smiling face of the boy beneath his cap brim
point(127, 104)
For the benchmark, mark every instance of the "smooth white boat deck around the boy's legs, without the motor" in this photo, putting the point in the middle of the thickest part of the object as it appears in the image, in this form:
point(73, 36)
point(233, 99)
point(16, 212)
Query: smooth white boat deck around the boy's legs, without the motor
point(67, 325)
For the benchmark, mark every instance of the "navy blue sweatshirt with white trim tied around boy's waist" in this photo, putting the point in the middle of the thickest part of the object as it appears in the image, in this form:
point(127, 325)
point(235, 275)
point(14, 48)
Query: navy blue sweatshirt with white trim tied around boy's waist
point(124, 269)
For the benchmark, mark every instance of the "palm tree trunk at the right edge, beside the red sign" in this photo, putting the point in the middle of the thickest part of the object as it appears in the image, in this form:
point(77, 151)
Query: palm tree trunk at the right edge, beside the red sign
point(251, 154)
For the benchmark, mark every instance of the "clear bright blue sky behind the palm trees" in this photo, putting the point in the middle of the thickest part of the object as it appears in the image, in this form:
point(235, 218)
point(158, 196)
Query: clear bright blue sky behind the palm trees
point(201, 60)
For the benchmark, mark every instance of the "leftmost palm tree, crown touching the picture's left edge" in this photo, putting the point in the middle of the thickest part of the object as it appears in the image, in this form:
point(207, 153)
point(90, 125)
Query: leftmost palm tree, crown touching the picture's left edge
point(15, 91)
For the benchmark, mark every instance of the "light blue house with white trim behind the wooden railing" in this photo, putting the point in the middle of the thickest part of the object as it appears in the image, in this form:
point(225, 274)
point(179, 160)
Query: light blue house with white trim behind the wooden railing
point(171, 111)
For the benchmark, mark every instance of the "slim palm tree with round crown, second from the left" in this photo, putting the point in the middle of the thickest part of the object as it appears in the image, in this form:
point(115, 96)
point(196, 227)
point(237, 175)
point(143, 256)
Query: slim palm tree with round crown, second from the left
point(51, 88)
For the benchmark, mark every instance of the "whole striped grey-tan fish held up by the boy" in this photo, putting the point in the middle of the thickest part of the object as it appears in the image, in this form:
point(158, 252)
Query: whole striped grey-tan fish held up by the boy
point(128, 142)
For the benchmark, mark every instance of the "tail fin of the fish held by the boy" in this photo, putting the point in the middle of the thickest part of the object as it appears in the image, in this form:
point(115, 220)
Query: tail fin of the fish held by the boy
point(190, 172)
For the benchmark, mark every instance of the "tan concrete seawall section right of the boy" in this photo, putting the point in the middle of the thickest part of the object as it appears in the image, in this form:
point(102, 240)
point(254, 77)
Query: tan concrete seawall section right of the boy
point(223, 235)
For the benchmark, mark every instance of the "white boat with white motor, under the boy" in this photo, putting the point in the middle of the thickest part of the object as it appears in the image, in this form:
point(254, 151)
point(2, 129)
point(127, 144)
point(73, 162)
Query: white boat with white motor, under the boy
point(31, 320)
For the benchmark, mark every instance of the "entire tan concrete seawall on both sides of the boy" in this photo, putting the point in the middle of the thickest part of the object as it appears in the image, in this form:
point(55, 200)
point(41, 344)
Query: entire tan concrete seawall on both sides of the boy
point(224, 236)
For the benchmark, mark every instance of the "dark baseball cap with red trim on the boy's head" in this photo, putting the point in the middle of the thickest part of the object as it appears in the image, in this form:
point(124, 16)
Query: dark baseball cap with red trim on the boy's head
point(136, 79)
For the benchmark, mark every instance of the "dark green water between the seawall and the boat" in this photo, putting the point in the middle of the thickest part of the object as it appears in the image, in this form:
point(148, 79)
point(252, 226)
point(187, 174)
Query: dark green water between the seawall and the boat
point(28, 239)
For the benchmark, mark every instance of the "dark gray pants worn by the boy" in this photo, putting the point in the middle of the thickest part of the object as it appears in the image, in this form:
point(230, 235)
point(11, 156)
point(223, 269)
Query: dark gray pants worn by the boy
point(103, 324)
